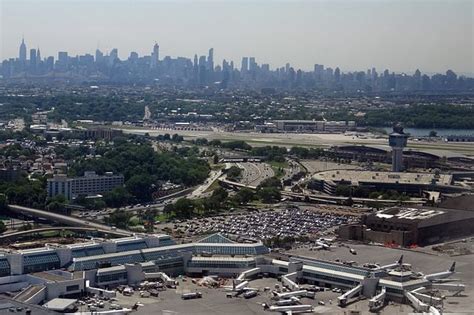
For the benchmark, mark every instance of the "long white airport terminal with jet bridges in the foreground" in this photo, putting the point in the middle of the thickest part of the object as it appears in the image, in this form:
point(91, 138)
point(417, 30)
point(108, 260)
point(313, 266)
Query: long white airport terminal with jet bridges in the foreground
point(39, 275)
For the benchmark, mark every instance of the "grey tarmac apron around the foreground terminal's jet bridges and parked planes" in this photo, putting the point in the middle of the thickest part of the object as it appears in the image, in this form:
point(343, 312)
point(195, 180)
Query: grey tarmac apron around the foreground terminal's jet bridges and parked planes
point(214, 300)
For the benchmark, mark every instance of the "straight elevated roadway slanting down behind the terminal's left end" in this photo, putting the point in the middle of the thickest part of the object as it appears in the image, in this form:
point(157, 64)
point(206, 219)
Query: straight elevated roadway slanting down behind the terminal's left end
point(67, 220)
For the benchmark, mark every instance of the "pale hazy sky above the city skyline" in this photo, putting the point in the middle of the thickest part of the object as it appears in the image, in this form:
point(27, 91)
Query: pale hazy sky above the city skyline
point(355, 35)
